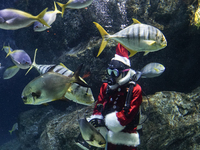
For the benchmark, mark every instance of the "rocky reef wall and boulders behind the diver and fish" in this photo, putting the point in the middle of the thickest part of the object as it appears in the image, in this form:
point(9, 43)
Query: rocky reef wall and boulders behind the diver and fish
point(173, 117)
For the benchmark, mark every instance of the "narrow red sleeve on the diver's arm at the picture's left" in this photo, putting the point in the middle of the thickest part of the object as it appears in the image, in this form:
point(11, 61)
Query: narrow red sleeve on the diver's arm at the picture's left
point(101, 99)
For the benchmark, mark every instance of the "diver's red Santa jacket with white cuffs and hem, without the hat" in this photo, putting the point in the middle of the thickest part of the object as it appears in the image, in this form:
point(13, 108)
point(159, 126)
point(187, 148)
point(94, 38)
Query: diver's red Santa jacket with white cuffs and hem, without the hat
point(121, 129)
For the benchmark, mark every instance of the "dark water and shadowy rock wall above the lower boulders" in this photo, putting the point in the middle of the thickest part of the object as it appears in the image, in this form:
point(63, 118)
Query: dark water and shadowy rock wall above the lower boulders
point(180, 57)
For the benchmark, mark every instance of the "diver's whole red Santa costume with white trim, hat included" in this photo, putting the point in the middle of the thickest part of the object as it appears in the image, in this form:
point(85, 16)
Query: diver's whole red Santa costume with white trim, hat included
point(121, 127)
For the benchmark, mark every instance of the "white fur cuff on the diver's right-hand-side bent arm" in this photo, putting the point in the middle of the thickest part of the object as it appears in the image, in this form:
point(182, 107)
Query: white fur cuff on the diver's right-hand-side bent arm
point(112, 122)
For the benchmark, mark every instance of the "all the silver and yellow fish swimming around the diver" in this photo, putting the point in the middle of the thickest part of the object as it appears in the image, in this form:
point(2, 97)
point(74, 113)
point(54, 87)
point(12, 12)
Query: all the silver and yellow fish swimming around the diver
point(57, 82)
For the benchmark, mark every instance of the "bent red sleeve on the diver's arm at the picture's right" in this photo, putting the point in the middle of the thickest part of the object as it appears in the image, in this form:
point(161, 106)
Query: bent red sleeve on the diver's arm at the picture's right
point(134, 107)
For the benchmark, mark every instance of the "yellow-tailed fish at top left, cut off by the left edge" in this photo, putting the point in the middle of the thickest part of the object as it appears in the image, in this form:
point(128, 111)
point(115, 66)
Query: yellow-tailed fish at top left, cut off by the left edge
point(13, 19)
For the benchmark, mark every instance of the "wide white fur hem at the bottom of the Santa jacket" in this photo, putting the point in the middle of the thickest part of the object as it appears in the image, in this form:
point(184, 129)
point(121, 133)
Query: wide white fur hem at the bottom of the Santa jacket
point(123, 138)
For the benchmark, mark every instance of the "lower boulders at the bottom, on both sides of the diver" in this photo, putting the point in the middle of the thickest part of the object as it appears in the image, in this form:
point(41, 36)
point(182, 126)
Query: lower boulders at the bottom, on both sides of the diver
point(173, 123)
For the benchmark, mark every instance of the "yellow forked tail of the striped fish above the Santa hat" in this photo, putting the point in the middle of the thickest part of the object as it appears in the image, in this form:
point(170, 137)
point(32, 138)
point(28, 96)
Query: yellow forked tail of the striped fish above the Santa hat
point(103, 35)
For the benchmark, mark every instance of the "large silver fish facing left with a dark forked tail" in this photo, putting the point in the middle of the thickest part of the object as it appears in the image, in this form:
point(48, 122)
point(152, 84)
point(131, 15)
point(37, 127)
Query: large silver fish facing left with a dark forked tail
point(49, 87)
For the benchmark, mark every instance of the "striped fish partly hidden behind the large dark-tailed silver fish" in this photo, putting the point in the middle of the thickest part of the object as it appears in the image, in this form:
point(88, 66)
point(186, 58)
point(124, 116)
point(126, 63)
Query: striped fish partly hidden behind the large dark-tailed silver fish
point(75, 92)
